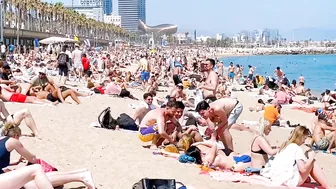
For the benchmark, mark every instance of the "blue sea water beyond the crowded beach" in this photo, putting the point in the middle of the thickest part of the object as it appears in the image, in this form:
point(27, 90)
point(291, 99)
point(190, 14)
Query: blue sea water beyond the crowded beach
point(319, 71)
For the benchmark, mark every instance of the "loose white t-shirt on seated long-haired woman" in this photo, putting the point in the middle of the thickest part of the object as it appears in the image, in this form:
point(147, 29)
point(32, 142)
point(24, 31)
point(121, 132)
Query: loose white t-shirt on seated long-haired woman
point(284, 169)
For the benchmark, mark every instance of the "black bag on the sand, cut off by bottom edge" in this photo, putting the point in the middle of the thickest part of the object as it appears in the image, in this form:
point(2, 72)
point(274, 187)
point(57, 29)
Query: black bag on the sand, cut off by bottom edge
point(155, 183)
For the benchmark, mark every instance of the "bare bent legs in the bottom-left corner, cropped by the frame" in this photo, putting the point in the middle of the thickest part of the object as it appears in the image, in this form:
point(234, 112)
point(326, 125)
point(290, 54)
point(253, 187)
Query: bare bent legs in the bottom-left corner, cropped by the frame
point(18, 178)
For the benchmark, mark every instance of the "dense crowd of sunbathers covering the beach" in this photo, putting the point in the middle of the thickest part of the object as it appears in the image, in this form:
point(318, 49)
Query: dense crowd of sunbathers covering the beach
point(172, 122)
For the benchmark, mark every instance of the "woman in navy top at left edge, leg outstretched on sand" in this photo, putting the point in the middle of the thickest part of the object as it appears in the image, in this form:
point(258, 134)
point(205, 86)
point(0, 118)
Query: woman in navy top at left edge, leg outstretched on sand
point(10, 141)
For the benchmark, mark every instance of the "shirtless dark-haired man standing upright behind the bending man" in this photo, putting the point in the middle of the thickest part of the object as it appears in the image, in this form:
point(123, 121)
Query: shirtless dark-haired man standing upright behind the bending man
point(210, 85)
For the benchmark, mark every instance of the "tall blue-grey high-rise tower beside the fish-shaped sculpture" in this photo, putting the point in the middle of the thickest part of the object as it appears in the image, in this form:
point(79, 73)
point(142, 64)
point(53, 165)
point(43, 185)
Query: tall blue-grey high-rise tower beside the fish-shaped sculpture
point(131, 11)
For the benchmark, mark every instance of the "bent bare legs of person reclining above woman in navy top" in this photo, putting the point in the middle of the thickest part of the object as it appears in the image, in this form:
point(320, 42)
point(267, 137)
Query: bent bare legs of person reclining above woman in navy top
point(25, 114)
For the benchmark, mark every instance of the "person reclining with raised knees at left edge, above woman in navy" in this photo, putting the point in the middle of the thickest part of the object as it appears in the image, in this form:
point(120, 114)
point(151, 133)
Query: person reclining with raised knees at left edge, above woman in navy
point(17, 117)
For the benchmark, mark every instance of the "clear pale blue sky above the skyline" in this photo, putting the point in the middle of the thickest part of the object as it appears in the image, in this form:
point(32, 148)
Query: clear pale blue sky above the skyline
point(231, 16)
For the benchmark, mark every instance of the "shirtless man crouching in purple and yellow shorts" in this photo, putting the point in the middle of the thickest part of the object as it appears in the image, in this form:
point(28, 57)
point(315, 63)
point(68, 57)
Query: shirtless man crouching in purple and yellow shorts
point(153, 126)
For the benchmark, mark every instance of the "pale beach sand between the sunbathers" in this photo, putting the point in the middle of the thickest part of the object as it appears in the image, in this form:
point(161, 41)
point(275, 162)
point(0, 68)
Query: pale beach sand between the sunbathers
point(117, 158)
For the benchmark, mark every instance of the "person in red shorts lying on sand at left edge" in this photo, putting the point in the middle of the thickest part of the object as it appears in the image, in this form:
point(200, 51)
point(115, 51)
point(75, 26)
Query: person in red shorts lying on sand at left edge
point(7, 95)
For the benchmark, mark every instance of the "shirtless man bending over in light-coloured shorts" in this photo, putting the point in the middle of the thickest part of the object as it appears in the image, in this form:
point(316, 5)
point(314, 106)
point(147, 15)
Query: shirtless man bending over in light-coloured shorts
point(221, 115)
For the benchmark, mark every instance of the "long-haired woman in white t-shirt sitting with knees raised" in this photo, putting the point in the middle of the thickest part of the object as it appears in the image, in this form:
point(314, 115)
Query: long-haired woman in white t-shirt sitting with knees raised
point(291, 167)
